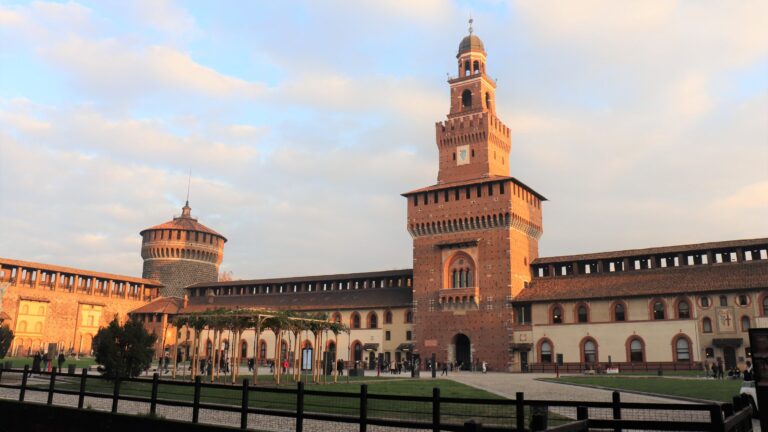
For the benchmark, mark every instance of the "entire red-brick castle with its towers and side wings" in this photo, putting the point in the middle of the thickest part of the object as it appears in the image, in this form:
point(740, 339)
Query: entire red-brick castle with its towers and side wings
point(478, 290)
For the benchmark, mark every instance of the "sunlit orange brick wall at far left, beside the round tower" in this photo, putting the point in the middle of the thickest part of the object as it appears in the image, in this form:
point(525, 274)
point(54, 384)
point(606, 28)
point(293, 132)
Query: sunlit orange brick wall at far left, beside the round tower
point(50, 304)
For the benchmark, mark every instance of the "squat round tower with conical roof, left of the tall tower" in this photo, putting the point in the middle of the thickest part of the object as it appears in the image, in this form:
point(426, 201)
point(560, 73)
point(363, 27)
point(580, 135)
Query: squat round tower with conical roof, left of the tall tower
point(181, 252)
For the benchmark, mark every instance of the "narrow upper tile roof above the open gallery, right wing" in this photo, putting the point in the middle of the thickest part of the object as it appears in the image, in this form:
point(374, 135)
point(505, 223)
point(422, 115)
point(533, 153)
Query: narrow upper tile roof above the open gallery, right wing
point(731, 244)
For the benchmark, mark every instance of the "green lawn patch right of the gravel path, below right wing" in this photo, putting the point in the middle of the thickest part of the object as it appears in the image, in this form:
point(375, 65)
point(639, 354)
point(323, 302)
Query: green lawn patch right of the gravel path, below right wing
point(707, 389)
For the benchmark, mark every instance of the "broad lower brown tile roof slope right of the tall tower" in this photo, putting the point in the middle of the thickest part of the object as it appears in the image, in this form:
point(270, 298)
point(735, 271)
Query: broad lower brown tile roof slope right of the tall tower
point(638, 283)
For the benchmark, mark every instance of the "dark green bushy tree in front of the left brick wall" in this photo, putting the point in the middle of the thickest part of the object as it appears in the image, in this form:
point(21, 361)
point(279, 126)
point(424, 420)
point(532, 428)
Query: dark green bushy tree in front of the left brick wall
point(124, 351)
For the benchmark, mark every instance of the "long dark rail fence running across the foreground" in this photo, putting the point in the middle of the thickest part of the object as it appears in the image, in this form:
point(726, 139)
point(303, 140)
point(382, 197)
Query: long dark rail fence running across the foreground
point(284, 409)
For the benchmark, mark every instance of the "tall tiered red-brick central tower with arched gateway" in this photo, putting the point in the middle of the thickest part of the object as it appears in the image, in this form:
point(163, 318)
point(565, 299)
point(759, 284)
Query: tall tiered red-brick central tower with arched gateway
point(474, 233)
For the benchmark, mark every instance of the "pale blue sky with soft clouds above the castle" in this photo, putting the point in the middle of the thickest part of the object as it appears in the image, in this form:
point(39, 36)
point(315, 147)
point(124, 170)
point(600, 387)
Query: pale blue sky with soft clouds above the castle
point(643, 123)
